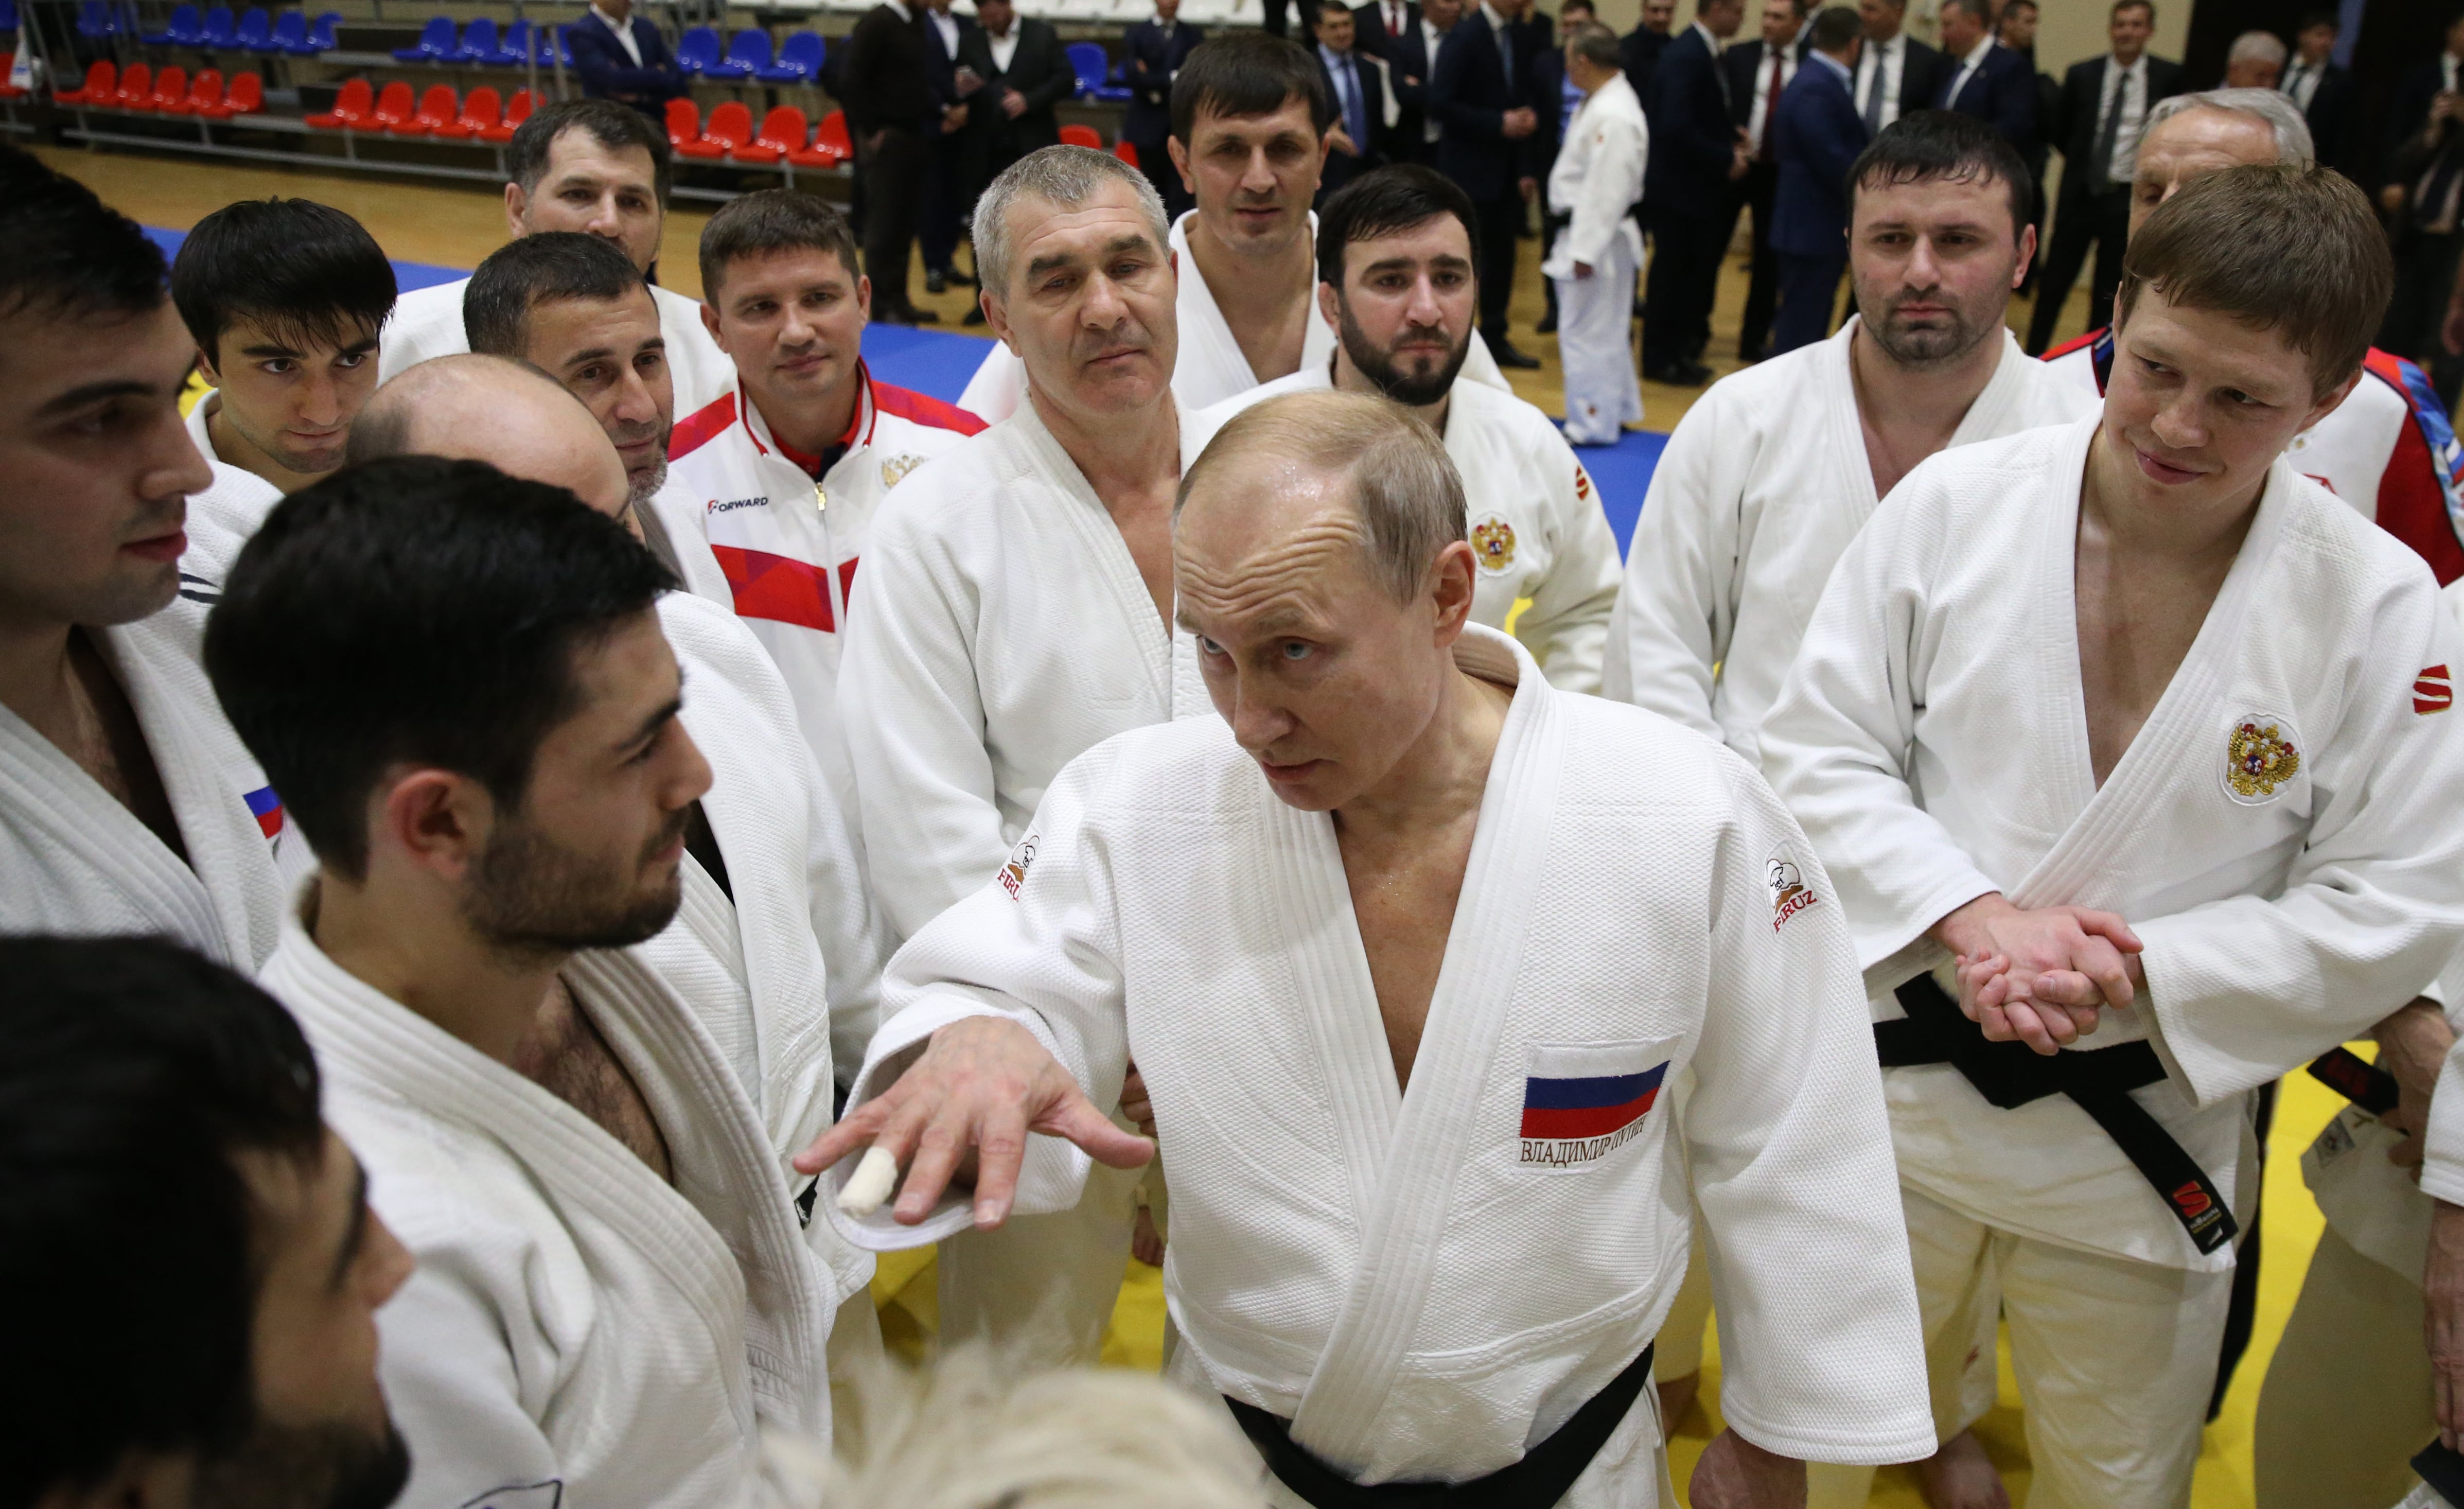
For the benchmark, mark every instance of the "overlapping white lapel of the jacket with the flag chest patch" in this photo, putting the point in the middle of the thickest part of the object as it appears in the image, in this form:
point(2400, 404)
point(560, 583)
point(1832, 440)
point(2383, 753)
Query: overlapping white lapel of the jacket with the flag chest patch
point(1457, 1061)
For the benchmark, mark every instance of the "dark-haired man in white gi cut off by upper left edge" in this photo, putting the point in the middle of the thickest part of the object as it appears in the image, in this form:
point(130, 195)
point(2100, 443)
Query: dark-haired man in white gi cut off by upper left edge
point(127, 803)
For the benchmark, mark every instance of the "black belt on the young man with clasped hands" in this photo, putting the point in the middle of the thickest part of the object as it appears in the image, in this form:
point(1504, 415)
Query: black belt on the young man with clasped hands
point(2101, 1084)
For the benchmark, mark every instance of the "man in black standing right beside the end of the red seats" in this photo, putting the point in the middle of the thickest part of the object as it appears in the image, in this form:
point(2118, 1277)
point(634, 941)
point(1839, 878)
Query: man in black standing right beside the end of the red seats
point(891, 115)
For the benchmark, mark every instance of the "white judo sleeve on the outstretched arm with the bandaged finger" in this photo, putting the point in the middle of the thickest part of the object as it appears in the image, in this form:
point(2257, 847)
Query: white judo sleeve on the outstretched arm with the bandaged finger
point(1036, 946)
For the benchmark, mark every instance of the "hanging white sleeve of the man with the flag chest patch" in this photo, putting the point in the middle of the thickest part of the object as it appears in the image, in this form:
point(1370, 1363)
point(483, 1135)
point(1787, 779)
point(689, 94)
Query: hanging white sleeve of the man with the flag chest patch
point(1793, 1165)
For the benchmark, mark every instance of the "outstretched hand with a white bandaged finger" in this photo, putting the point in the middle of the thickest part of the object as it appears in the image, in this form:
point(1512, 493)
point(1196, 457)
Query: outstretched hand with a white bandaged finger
point(972, 1098)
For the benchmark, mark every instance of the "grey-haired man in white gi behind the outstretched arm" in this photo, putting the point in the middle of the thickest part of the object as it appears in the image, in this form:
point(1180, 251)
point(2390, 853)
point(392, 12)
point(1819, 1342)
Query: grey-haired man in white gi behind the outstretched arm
point(1016, 610)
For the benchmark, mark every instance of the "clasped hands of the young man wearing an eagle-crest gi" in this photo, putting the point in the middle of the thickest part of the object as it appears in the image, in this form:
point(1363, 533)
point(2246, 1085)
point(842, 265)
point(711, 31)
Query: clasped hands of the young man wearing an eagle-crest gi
point(2041, 975)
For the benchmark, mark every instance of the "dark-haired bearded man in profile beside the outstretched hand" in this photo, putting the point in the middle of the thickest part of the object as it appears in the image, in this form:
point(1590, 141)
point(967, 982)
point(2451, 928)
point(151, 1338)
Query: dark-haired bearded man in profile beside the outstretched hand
point(462, 687)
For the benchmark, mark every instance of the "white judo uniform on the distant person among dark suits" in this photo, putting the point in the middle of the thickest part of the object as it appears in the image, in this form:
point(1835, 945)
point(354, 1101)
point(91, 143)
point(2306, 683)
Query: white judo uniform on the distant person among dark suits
point(1598, 181)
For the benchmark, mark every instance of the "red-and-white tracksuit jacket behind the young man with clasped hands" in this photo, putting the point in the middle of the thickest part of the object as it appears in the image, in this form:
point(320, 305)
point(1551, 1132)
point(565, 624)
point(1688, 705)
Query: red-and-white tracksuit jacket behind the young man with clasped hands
point(2386, 450)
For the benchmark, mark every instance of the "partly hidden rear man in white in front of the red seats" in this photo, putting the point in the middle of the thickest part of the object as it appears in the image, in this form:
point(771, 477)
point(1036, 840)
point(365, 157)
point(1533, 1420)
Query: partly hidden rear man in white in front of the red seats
point(583, 166)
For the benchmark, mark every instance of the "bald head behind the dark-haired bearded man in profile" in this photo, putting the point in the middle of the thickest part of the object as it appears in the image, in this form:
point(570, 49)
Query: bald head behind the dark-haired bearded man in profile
point(496, 411)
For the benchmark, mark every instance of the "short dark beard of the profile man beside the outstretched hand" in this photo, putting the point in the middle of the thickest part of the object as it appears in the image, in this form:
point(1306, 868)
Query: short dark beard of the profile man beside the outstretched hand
point(533, 896)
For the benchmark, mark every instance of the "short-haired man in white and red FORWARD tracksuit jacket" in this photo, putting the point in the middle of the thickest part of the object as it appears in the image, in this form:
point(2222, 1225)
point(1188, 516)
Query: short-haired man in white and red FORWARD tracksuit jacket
point(790, 465)
